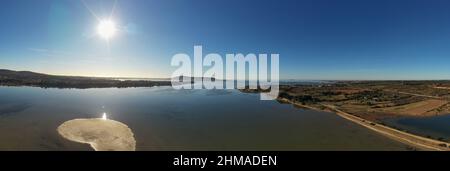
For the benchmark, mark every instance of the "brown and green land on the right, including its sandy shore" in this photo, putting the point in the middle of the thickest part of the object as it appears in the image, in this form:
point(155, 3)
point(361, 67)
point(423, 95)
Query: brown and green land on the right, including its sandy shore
point(368, 103)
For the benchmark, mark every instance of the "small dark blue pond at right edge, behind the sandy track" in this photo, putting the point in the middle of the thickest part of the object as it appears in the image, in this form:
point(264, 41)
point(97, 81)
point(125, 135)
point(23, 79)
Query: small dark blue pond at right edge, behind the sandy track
point(437, 127)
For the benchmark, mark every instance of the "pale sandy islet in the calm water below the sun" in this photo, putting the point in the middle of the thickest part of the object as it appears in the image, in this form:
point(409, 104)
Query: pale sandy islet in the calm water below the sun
point(101, 133)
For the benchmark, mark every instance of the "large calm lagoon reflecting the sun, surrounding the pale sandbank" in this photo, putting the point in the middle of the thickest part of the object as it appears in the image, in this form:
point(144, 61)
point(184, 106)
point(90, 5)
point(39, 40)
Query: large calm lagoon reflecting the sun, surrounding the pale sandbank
point(166, 119)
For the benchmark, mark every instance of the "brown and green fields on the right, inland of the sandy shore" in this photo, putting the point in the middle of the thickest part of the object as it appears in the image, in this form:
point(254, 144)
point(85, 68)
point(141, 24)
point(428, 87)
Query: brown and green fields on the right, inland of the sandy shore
point(375, 100)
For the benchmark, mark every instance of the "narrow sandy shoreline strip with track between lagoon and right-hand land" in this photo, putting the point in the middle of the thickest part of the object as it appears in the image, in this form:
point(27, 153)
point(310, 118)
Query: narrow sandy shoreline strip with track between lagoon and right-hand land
point(417, 141)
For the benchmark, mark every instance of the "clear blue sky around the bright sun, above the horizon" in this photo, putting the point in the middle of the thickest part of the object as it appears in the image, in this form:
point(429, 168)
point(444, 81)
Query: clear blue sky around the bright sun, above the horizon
point(316, 39)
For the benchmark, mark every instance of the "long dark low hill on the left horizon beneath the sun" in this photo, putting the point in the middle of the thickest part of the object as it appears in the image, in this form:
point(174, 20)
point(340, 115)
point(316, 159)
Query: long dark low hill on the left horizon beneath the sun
point(27, 78)
